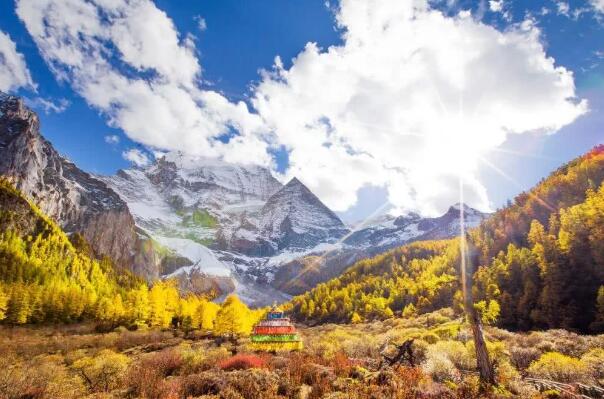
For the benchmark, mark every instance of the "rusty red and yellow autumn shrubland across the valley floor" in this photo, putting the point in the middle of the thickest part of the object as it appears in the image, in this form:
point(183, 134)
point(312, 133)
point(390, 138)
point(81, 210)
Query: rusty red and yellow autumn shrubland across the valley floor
point(339, 361)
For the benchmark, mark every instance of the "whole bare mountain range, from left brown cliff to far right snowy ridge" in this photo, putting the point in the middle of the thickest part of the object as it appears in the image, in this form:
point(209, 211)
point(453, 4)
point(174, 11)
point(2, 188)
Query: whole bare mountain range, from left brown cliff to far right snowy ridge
point(213, 225)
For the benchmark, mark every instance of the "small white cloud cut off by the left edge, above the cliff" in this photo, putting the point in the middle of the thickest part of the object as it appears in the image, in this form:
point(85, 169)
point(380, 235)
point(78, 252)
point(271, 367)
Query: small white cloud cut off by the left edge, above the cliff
point(13, 69)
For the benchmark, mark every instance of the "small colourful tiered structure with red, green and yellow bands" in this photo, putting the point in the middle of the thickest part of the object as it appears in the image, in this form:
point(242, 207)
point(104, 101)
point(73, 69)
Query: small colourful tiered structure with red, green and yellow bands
point(275, 333)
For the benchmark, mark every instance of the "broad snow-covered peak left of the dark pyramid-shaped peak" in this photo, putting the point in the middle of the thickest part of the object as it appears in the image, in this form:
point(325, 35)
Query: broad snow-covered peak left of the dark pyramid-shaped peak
point(192, 206)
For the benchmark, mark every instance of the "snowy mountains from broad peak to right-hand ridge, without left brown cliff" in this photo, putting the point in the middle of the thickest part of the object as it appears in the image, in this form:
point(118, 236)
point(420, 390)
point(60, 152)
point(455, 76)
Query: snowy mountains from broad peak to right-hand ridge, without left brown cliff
point(235, 227)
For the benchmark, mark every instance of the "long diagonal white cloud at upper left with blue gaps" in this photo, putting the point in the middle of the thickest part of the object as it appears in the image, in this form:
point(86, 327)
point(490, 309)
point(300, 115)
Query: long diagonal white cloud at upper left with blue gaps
point(126, 58)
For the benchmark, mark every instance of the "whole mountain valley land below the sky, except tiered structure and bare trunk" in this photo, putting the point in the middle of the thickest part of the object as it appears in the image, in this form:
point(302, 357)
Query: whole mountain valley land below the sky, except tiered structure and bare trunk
point(211, 244)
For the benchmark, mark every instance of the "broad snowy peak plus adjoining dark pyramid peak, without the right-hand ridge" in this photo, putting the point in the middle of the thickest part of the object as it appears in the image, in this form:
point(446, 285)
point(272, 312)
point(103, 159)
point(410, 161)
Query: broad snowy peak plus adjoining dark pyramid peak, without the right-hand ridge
point(224, 226)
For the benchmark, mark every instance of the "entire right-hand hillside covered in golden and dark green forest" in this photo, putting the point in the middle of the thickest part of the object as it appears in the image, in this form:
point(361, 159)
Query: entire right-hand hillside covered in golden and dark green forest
point(538, 263)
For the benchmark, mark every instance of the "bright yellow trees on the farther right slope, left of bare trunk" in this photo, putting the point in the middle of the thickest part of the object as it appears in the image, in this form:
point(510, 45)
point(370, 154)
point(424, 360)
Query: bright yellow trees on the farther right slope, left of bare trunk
point(379, 287)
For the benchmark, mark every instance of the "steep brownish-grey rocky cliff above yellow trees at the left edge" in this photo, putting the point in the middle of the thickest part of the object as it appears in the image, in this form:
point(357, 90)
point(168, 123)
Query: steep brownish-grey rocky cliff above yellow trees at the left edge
point(72, 197)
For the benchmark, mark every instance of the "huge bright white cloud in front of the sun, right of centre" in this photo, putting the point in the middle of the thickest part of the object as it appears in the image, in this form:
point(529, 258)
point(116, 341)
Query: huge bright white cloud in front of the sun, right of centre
point(410, 101)
